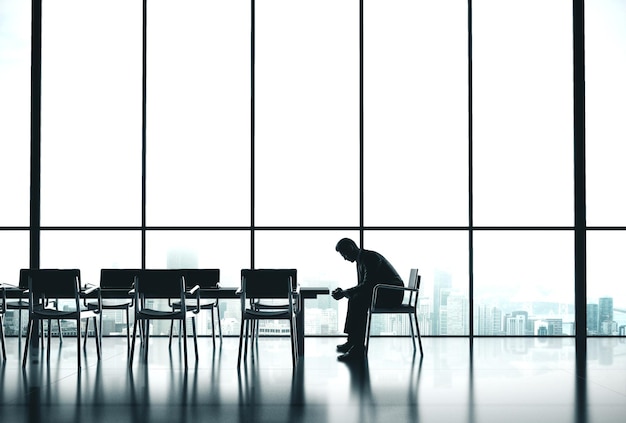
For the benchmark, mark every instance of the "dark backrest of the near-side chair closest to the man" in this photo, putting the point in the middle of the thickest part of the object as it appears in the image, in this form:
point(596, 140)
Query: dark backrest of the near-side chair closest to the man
point(267, 283)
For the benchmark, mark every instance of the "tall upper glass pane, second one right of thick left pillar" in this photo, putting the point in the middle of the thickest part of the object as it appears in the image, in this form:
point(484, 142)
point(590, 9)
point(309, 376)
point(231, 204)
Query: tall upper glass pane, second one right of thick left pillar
point(198, 113)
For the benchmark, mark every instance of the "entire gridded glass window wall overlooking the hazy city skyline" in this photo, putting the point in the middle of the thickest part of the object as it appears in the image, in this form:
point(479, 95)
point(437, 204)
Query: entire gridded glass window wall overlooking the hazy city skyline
point(257, 133)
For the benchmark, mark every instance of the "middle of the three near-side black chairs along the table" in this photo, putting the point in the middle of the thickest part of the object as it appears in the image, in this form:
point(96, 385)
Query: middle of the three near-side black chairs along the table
point(163, 284)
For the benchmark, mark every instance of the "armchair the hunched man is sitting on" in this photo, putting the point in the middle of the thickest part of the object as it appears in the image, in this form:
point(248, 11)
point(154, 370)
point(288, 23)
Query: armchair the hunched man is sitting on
point(408, 307)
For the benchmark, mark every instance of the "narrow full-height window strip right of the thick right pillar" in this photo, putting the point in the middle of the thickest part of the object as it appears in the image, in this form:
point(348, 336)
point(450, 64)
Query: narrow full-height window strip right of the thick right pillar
point(605, 67)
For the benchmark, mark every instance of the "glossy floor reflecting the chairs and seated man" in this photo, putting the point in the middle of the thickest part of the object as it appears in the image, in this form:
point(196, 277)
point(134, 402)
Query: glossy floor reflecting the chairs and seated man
point(497, 380)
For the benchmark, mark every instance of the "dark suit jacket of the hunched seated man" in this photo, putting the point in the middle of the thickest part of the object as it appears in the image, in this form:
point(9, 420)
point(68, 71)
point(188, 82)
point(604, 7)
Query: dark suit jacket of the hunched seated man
point(372, 269)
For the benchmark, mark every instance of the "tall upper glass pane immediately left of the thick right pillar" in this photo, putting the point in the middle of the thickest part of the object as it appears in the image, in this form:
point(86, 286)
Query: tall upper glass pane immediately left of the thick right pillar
point(522, 116)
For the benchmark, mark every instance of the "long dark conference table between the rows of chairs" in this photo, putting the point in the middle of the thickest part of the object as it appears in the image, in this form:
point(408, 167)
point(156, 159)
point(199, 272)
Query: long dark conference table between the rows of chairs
point(305, 293)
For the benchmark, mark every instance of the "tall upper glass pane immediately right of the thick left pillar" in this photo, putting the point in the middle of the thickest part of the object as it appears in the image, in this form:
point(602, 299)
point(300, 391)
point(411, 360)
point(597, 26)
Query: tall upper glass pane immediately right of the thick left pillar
point(91, 113)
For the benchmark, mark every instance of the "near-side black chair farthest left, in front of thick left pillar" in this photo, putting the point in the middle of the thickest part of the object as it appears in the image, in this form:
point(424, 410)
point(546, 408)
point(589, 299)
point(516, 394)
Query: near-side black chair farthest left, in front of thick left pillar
point(45, 284)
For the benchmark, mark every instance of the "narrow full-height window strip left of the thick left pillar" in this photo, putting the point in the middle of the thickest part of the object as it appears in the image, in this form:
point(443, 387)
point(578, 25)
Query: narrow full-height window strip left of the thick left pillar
point(15, 44)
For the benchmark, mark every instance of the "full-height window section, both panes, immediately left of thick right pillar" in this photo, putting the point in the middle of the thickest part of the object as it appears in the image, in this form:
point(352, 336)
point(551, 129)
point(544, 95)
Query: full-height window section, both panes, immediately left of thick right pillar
point(523, 198)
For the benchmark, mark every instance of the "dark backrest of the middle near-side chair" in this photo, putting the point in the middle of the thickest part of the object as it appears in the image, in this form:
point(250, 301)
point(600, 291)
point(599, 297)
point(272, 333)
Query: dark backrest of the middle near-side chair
point(160, 283)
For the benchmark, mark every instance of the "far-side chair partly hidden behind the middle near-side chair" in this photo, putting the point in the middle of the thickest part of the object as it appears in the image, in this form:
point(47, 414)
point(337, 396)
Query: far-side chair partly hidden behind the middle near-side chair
point(205, 279)
